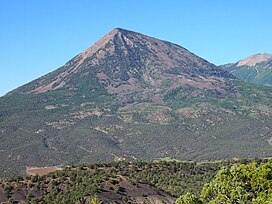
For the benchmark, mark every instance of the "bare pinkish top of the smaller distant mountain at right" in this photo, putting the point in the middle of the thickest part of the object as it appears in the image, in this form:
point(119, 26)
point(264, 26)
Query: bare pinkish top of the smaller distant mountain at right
point(255, 59)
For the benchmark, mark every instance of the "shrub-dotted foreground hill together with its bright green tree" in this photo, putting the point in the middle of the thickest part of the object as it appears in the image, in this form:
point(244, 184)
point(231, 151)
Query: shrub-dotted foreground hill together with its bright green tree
point(144, 182)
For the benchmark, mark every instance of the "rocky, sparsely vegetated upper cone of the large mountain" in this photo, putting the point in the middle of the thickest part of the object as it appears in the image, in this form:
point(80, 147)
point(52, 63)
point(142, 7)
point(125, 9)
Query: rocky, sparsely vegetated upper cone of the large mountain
point(126, 62)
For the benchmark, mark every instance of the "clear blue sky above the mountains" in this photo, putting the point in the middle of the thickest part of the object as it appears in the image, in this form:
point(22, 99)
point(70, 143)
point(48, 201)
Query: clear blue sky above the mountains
point(37, 37)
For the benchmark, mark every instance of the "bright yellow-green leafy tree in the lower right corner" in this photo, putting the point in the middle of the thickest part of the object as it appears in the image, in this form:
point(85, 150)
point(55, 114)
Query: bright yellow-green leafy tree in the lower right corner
point(246, 183)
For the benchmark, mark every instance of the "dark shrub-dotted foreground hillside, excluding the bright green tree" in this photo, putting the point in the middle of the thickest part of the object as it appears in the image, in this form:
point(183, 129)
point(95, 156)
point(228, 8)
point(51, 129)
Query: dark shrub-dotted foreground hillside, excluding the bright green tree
point(113, 182)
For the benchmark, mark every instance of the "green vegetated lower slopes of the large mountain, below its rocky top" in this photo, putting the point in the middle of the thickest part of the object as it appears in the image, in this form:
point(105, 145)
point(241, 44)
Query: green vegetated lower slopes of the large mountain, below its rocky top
point(192, 124)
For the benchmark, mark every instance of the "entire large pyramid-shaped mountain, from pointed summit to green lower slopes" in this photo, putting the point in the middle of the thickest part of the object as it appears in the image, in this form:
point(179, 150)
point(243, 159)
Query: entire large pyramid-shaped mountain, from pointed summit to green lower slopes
point(128, 97)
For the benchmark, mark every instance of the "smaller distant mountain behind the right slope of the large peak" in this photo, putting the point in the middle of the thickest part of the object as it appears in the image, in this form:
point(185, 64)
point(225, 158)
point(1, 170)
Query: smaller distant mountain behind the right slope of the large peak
point(256, 69)
